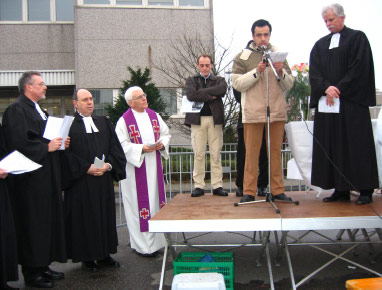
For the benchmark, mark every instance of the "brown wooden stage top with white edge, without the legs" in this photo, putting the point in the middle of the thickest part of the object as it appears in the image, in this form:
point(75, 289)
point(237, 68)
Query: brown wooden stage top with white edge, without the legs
point(214, 213)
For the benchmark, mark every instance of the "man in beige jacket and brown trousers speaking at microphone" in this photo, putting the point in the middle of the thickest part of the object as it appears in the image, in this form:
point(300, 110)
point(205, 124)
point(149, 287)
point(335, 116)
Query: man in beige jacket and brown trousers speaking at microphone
point(249, 77)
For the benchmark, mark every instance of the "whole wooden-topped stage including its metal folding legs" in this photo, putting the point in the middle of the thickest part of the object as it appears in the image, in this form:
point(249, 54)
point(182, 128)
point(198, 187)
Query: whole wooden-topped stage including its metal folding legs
point(211, 213)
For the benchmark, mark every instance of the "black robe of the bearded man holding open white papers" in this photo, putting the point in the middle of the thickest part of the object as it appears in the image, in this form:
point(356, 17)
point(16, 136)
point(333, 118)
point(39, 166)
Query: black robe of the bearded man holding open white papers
point(36, 196)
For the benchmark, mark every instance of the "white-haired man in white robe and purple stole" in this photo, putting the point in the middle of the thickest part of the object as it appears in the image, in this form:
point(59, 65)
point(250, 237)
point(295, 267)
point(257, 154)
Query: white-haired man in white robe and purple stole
point(144, 138)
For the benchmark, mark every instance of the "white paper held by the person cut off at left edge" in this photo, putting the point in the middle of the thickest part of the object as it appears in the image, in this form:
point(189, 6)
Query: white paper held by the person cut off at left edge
point(17, 163)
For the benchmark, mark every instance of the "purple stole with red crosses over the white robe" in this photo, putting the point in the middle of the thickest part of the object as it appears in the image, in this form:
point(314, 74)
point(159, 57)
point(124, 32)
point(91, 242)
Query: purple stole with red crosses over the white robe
point(140, 173)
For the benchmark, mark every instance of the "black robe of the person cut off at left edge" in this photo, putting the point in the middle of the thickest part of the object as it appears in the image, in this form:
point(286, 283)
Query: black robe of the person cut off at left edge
point(8, 250)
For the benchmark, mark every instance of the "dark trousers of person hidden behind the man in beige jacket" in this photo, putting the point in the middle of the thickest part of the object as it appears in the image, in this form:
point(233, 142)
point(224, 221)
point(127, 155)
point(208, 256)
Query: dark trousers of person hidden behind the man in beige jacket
point(240, 161)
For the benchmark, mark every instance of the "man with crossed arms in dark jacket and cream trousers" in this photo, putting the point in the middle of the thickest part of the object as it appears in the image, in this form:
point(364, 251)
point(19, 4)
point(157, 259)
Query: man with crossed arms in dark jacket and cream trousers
point(207, 125)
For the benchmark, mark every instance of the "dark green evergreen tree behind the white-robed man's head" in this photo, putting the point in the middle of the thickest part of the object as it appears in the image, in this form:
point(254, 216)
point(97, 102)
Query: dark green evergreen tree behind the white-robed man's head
point(140, 79)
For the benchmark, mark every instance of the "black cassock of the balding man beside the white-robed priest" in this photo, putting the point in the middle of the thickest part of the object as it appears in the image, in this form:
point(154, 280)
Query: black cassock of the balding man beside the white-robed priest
point(89, 201)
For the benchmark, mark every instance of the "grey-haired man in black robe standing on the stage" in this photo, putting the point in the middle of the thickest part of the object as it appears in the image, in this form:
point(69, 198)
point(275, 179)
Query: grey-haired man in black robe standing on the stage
point(341, 66)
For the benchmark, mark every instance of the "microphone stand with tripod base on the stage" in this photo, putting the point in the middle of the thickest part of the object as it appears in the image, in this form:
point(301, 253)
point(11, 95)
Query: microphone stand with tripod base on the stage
point(269, 197)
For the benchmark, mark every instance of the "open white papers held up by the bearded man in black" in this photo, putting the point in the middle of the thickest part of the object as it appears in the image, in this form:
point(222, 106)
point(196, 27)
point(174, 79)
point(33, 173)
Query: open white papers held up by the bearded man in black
point(58, 127)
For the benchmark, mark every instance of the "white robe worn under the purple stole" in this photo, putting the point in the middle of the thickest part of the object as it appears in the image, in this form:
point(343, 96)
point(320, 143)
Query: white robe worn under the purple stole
point(146, 242)
